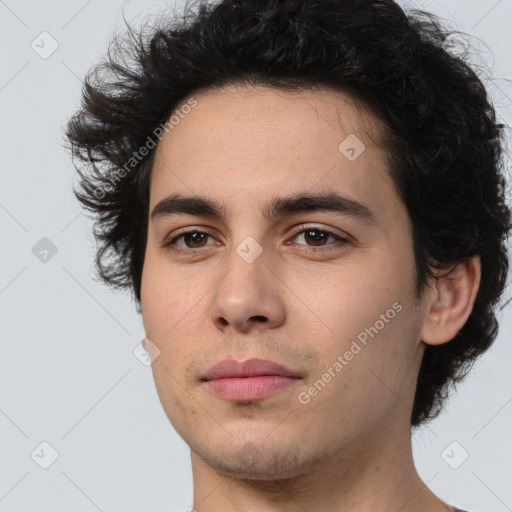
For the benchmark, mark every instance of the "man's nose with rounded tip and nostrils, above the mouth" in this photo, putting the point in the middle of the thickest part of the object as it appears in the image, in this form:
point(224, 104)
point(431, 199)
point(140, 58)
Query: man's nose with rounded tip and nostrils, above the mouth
point(248, 296)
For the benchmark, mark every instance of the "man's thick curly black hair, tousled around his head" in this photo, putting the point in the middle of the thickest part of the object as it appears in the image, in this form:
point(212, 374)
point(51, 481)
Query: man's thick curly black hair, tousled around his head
point(444, 144)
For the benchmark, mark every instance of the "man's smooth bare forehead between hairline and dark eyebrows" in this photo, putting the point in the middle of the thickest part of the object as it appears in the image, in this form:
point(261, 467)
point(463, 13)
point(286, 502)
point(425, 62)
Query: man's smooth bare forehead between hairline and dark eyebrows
point(241, 143)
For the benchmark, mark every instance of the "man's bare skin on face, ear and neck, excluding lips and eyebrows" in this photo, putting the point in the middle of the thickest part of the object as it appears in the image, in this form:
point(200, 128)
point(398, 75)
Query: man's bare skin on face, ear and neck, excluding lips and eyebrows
point(349, 448)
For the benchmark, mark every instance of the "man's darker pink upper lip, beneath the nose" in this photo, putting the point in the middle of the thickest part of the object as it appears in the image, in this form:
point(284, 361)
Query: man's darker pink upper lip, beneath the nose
point(231, 368)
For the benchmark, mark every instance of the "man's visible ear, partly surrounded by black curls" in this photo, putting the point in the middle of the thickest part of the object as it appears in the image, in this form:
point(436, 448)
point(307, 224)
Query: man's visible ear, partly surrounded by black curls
point(451, 302)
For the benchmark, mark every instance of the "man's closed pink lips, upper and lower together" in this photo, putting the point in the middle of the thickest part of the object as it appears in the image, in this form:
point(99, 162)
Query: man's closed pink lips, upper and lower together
point(254, 379)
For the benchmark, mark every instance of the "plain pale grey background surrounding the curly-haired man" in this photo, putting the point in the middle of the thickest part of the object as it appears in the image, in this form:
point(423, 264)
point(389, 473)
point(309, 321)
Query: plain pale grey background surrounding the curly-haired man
point(68, 375)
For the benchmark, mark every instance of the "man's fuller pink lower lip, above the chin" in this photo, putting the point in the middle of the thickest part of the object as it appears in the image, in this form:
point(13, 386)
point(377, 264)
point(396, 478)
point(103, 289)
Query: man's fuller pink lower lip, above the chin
point(249, 388)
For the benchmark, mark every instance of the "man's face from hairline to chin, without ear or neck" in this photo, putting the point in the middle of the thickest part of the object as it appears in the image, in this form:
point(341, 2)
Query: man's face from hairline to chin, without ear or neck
point(324, 291)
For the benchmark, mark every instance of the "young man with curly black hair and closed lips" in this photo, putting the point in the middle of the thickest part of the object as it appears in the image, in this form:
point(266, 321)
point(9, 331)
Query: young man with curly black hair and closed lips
point(305, 199)
